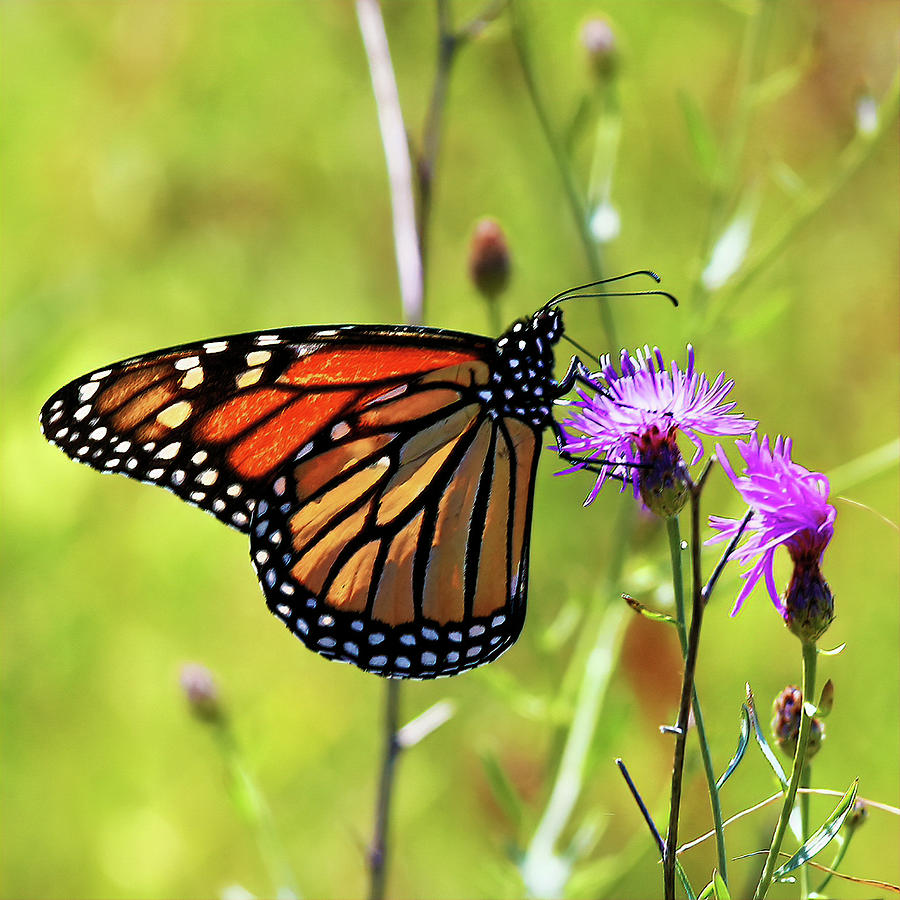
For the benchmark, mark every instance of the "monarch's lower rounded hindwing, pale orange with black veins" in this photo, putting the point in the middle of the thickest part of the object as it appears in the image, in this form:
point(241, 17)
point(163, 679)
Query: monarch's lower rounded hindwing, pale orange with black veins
point(398, 541)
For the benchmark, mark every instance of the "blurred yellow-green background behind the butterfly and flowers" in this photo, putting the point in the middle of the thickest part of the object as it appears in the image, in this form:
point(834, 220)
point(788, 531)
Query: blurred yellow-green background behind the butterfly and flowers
point(173, 171)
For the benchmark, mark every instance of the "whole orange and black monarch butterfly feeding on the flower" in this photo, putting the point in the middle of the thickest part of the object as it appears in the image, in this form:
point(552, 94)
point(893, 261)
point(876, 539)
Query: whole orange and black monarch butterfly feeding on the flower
point(385, 475)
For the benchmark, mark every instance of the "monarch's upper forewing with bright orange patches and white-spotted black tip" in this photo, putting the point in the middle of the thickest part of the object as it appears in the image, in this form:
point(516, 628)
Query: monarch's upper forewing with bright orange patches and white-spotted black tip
point(211, 421)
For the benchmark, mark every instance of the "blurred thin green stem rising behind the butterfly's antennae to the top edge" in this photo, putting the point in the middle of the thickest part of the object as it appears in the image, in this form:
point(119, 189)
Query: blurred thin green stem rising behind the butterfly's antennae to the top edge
point(563, 163)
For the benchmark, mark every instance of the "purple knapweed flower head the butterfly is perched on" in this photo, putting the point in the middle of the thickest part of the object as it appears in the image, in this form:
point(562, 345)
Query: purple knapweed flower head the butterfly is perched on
point(631, 425)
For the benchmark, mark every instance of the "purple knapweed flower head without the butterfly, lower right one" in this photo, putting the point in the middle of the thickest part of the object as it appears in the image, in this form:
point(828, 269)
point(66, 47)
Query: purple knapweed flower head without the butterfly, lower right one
point(790, 509)
